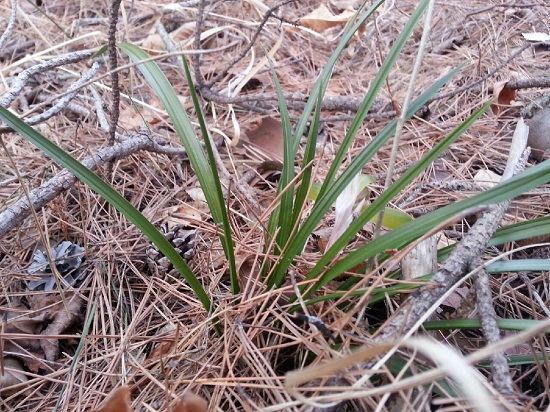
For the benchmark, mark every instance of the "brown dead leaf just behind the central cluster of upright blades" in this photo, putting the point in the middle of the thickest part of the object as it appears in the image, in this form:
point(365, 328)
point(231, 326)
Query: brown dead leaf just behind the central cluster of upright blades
point(265, 141)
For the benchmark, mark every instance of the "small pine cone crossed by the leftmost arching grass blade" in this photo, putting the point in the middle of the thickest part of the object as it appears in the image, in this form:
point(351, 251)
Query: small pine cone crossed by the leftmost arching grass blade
point(183, 241)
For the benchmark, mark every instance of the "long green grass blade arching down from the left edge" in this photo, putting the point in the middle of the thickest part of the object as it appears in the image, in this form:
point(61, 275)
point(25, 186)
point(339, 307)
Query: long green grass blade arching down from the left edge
point(111, 195)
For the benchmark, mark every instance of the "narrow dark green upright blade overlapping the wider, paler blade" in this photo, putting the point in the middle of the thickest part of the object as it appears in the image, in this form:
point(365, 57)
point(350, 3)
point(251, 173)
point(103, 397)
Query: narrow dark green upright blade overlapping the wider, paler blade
point(226, 239)
